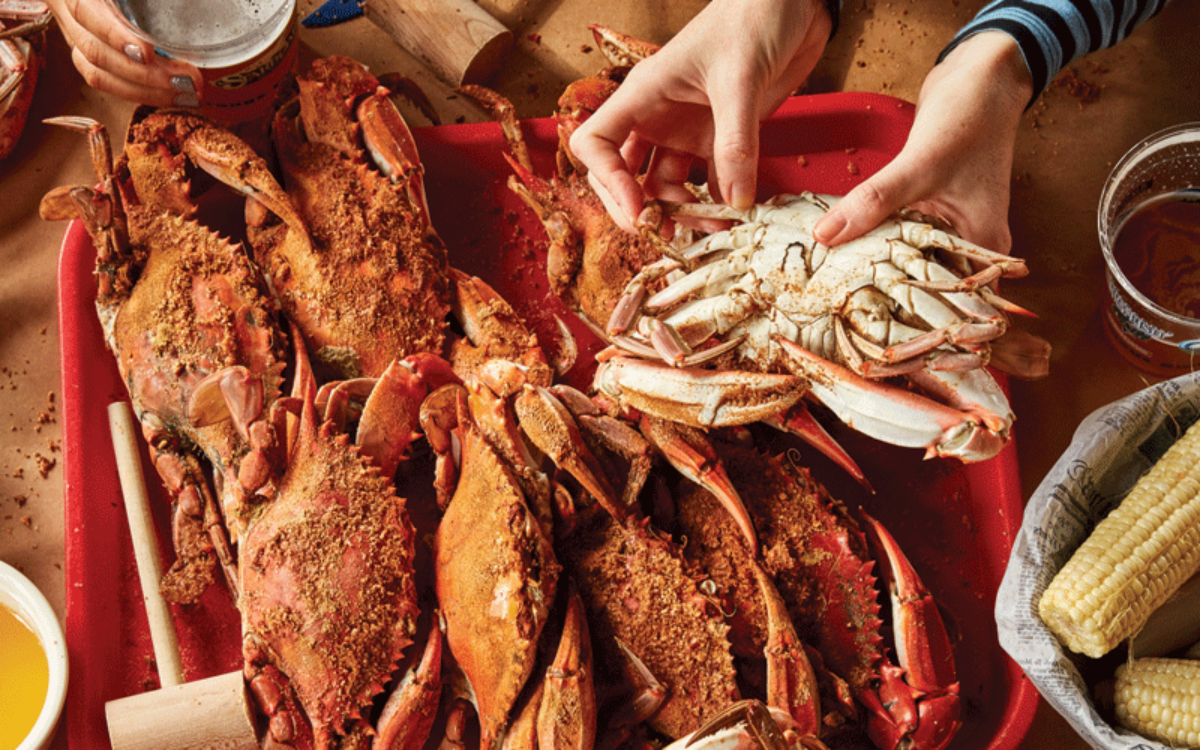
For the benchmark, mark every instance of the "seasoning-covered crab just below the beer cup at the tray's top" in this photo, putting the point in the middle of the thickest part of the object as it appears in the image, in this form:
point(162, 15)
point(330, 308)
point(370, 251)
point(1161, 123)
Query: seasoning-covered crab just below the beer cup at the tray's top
point(371, 284)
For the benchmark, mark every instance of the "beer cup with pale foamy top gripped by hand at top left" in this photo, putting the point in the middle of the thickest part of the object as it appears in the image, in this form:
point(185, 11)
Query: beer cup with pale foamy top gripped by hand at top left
point(244, 49)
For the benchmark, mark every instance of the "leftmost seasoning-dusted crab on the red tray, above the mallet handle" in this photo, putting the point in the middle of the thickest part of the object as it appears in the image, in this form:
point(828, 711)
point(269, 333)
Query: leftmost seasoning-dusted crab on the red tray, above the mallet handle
point(190, 320)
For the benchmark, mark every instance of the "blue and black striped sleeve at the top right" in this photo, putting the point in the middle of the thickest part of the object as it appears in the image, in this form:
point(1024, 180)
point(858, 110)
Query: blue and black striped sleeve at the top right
point(1053, 34)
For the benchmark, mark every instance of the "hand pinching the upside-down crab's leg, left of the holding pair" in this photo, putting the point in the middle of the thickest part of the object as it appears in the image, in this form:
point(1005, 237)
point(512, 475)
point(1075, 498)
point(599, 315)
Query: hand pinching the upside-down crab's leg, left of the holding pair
point(722, 85)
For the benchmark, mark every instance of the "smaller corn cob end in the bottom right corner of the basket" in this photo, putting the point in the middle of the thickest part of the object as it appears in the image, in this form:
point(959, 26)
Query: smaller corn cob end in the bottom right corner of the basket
point(1160, 699)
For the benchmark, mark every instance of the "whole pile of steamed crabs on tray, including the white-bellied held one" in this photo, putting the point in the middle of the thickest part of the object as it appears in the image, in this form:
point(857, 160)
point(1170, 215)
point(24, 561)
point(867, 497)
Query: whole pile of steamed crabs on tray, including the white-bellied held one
point(431, 541)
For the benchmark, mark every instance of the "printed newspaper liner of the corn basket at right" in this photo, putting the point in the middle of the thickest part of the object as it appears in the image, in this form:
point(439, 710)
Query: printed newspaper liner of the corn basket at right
point(1112, 448)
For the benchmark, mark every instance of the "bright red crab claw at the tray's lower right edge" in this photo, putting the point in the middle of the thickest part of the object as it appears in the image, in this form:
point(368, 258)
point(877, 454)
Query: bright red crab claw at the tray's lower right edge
point(919, 701)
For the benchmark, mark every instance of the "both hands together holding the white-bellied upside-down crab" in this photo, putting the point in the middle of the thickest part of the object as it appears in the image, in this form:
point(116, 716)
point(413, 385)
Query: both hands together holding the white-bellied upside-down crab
point(956, 164)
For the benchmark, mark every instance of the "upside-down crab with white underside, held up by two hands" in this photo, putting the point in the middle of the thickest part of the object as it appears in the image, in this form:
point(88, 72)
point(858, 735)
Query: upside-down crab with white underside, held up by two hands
point(788, 316)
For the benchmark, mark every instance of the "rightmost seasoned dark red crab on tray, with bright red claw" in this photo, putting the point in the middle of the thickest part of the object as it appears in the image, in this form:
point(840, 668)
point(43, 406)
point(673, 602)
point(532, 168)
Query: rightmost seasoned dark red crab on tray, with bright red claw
point(824, 563)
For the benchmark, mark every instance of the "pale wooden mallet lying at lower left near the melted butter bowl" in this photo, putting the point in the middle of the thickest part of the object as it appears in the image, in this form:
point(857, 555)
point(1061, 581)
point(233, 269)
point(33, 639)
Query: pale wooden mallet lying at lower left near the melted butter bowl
point(207, 713)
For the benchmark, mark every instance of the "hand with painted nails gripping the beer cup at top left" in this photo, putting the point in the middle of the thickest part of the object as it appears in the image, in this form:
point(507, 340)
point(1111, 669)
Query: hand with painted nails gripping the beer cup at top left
point(113, 59)
